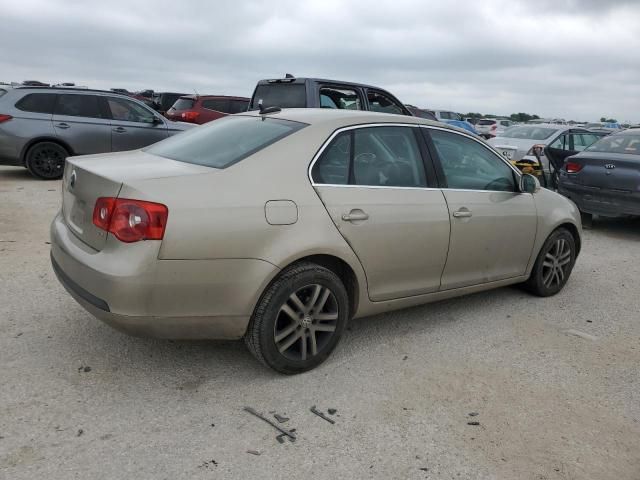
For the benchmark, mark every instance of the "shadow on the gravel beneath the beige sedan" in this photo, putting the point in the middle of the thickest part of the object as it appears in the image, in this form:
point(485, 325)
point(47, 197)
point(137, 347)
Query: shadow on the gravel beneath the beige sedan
point(187, 364)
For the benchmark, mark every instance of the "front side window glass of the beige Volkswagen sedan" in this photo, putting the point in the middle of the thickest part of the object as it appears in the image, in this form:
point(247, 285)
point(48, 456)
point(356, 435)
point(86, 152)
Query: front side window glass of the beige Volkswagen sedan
point(468, 165)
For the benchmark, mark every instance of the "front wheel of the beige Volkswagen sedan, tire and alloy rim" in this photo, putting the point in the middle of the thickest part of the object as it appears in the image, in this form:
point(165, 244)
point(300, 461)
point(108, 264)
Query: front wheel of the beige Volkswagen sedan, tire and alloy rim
point(554, 264)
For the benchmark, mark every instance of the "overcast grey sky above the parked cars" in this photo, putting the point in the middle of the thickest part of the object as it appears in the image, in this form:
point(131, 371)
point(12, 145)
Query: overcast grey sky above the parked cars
point(576, 59)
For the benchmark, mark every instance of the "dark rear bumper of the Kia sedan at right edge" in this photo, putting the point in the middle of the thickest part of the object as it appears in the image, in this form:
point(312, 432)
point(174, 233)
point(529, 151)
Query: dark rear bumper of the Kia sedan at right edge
point(597, 201)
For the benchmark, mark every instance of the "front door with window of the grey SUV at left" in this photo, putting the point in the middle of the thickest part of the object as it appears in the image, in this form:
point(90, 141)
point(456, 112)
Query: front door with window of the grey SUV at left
point(133, 125)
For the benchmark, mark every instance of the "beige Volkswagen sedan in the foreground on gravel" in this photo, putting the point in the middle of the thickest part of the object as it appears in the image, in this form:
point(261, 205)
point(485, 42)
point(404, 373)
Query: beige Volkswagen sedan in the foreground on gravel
point(281, 226)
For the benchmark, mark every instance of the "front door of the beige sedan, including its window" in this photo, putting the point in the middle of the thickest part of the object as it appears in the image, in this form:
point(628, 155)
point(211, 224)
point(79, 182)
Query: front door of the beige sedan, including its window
point(493, 226)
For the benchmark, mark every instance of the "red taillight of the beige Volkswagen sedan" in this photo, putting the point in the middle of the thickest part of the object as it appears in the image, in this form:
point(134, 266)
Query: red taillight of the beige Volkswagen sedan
point(130, 220)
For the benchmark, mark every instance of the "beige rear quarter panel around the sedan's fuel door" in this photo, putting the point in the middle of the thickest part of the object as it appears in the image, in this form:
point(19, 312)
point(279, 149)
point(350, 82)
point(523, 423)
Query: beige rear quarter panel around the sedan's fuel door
point(221, 215)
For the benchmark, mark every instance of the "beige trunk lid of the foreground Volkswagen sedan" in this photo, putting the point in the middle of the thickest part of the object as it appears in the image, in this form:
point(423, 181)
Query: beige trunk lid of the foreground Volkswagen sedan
point(90, 177)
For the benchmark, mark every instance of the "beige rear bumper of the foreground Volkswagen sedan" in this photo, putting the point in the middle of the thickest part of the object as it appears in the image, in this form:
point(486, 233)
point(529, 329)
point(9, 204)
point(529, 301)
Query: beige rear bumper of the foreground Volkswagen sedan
point(135, 292)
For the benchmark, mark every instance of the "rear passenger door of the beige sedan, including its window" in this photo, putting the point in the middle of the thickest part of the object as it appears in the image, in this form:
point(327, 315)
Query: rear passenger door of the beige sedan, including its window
point(373, 183)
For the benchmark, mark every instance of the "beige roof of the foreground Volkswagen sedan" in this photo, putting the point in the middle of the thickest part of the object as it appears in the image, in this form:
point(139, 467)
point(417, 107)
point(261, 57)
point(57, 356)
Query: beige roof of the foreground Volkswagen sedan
point(342, 118)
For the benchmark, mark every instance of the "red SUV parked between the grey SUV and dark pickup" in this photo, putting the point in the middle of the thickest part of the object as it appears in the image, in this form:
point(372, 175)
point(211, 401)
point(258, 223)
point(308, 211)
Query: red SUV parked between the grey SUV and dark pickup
point(204, 108)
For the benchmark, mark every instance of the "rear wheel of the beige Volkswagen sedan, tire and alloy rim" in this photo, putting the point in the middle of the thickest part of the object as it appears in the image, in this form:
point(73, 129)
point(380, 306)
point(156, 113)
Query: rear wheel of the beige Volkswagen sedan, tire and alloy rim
point(299, 319)
